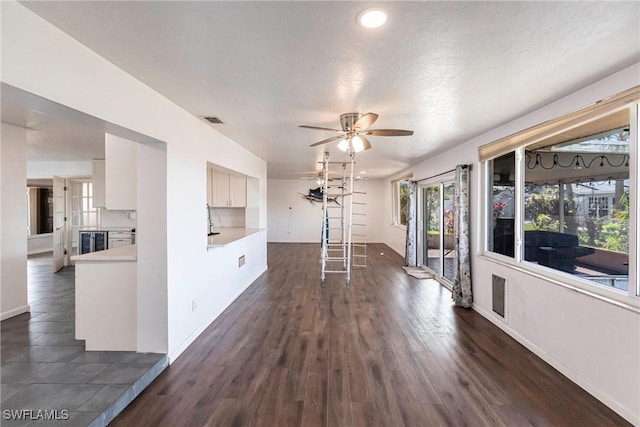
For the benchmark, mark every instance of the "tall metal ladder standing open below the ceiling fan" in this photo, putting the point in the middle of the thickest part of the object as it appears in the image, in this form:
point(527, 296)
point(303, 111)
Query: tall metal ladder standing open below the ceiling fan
point(339, 208)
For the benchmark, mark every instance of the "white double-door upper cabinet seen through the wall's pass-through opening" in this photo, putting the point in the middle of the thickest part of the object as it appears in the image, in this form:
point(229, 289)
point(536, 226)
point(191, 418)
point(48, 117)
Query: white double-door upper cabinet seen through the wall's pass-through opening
point(226, 190)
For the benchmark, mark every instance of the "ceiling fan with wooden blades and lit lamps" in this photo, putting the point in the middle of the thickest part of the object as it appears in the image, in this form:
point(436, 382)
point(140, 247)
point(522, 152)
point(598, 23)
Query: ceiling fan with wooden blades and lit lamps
point(354, 128)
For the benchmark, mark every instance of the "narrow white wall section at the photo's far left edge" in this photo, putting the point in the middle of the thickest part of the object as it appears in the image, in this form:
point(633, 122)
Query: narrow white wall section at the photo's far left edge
point(13, 221)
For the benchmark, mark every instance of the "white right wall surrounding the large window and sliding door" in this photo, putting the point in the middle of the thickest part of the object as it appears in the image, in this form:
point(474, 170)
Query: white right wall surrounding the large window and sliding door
point(593, 342)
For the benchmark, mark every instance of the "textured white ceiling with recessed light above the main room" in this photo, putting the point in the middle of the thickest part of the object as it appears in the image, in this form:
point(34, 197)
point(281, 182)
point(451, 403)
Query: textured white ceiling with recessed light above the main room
point(447, 70)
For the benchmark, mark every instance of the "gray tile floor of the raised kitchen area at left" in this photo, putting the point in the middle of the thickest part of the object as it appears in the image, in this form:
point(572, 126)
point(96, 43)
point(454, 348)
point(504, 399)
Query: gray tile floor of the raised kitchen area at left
point(44, 368)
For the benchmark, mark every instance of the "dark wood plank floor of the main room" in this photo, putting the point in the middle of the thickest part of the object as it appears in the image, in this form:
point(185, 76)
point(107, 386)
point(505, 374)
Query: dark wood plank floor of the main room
point(389, 350)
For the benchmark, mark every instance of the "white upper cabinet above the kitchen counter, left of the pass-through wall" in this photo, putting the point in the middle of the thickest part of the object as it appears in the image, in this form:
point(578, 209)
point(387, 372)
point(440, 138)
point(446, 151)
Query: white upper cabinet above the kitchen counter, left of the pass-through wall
point(121, 171)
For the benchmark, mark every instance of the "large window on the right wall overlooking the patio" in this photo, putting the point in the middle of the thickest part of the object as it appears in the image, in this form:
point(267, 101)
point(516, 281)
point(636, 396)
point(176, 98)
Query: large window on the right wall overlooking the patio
point(574, 191)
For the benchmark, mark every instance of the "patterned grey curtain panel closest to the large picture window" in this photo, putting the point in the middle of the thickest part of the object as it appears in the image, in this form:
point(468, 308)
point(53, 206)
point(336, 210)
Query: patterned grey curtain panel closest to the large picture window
point(461, 293)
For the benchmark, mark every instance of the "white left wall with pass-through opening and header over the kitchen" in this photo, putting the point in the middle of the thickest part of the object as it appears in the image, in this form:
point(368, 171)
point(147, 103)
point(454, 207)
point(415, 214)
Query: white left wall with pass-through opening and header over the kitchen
point(78, 78)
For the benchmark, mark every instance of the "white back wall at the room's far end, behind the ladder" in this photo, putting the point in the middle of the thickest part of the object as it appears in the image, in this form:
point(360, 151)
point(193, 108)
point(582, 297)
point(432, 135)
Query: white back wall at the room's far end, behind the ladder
point(292, 218)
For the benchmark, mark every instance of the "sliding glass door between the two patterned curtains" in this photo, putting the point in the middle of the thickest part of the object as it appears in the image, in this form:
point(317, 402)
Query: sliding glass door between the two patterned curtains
point(437, 220)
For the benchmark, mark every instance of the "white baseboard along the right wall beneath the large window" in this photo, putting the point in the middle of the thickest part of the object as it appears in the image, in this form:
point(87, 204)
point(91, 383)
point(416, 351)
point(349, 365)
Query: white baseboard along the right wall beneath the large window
point(624, 412)
